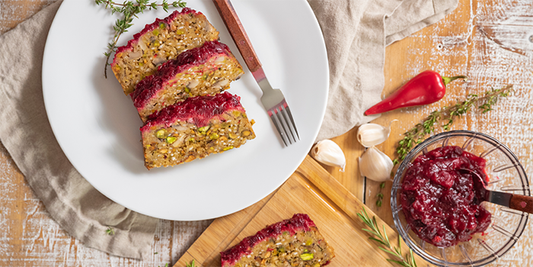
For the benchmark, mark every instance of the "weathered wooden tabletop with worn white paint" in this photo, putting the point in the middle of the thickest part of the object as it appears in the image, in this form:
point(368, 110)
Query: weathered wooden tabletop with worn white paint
point(453, 46)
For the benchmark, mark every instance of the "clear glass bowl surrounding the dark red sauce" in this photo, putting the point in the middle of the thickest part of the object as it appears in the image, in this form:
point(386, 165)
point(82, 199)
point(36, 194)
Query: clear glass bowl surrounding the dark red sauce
point(506, 174)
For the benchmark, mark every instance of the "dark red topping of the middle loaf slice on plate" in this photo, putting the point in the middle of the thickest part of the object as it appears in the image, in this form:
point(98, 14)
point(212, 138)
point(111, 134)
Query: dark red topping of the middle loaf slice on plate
point(152, 84)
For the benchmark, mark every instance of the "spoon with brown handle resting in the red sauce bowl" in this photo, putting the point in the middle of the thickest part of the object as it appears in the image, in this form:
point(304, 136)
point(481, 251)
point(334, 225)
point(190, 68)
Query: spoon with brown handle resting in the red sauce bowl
point(513, 201)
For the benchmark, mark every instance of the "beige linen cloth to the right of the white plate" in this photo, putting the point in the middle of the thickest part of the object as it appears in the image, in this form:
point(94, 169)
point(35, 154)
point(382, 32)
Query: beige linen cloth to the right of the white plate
point(356, 33)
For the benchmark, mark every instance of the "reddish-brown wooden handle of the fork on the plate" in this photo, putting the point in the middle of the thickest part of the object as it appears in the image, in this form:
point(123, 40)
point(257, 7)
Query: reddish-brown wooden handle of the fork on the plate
point(235, 28)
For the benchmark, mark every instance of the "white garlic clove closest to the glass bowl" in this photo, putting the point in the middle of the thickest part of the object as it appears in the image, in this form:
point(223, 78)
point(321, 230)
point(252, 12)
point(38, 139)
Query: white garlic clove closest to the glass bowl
point(375, 165)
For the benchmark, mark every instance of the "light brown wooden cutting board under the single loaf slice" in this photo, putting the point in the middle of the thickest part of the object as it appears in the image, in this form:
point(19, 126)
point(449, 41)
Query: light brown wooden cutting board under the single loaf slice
point(312, 190)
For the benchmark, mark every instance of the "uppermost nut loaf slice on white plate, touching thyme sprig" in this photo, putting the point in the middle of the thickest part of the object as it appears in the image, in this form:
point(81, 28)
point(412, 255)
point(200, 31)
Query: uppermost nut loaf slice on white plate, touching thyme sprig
point(159, 42)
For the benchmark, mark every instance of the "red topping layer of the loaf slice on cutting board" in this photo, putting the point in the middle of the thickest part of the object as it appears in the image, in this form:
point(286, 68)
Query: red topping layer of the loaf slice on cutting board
point(298, 222)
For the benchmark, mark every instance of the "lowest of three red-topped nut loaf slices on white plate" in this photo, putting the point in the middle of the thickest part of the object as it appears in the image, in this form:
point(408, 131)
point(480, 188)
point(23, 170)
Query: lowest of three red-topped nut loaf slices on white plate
point(194, 129)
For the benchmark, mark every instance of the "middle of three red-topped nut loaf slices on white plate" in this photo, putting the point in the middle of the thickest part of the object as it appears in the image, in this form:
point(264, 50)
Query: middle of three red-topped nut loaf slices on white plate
point(205, 70)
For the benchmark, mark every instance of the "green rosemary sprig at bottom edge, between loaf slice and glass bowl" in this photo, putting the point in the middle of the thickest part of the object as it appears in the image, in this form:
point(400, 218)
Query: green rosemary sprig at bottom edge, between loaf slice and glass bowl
point(407, 261)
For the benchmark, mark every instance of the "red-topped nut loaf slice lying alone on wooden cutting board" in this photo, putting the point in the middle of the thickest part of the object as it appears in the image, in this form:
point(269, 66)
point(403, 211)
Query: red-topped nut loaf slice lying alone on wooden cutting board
point(292, 242)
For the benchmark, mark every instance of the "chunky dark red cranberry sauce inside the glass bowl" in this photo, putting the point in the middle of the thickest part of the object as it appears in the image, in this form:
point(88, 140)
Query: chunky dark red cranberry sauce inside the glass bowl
point(440, 200)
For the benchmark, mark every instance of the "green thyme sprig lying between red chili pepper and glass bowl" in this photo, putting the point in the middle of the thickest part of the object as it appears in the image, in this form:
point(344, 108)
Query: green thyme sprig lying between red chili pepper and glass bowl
point(430, 124)
